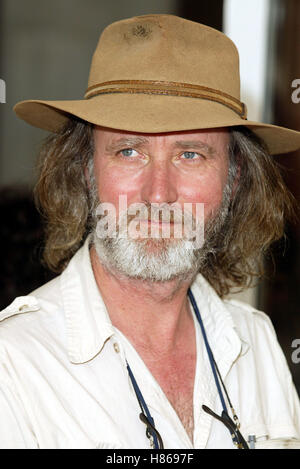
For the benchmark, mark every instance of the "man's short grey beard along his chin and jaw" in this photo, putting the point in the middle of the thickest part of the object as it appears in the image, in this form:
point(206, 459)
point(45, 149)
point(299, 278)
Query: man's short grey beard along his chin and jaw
point(161, 260)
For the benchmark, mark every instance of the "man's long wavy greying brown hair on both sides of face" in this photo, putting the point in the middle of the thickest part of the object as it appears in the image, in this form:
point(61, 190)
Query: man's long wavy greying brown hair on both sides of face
point(256, 218)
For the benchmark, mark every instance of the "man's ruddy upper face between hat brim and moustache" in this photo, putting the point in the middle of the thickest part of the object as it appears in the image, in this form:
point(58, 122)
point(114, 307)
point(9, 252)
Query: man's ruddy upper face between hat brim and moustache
point(176, 167)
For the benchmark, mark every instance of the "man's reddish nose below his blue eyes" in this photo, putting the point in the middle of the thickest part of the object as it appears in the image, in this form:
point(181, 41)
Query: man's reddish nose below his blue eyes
point(159, 185)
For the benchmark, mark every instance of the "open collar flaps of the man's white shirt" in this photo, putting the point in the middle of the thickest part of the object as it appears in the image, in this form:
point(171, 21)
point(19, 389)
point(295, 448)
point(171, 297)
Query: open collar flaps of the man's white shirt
point(89, 325)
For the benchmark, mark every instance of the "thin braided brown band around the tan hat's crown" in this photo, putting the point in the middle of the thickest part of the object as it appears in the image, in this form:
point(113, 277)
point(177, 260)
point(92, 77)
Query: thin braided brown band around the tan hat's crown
point(167, 88)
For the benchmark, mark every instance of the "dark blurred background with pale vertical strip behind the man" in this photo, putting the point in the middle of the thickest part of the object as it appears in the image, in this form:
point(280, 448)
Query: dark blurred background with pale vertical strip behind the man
point(45, 53)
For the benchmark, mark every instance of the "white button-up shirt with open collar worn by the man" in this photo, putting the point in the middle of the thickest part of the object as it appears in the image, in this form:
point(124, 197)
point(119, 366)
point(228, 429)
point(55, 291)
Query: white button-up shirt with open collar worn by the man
point(64, 381)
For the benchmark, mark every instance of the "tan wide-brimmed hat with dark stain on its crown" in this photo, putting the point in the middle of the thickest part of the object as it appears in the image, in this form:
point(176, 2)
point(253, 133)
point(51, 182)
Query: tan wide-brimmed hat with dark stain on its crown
point(157, 74)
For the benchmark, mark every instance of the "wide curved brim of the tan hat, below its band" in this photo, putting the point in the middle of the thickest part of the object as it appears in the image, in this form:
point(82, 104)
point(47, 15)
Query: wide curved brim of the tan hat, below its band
point(144, 113)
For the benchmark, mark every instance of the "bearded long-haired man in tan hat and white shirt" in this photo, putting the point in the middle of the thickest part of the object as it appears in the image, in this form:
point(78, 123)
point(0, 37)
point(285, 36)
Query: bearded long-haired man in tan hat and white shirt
point(134, 345)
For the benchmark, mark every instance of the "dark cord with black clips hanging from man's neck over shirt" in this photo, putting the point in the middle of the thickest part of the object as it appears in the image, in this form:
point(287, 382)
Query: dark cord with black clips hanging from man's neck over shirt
point(232, 425)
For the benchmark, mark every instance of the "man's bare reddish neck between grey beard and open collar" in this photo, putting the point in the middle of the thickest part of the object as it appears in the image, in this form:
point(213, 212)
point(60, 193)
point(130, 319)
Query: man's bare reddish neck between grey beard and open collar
point(148, 313)
